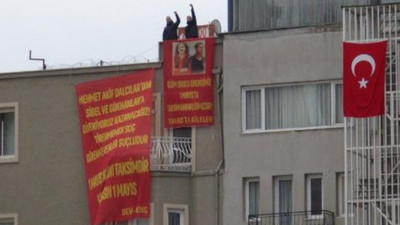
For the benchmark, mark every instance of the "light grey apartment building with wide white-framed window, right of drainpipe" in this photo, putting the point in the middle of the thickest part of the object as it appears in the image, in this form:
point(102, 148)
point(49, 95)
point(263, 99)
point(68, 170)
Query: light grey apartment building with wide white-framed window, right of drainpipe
point(284, 131)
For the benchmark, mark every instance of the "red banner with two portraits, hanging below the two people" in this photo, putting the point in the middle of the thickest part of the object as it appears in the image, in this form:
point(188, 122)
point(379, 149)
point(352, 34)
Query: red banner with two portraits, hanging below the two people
point(188, 83)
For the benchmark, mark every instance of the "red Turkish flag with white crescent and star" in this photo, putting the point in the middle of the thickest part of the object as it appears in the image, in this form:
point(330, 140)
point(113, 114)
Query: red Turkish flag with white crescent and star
point(364, 79)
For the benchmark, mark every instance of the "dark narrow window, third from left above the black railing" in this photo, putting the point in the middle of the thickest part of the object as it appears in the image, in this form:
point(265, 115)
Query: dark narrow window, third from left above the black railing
point(314, 195)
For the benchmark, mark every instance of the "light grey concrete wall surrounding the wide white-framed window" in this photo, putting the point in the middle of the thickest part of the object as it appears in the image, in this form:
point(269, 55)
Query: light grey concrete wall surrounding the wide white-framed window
point(279, 57)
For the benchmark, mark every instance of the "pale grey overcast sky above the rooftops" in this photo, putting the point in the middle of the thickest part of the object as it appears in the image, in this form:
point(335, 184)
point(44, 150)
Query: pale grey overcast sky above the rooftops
point(81, 32)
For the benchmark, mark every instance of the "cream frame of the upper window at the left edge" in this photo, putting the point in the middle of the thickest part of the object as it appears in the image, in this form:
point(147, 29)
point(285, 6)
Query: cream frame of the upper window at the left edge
point(6, 108)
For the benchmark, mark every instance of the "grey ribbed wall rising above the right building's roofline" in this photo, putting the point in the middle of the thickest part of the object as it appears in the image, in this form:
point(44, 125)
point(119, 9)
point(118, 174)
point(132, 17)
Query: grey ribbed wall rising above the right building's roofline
point(244, 15)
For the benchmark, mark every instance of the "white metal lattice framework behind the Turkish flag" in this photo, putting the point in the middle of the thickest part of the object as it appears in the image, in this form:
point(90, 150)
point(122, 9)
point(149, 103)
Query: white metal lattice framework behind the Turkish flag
point(372, 149)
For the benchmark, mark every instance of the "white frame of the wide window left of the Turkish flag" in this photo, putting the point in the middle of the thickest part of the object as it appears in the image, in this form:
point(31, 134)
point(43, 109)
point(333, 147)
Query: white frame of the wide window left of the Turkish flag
point(262, 88)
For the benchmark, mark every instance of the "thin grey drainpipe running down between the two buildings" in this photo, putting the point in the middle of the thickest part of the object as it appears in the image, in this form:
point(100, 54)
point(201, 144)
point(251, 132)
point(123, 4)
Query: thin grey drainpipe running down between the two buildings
point(218, 77)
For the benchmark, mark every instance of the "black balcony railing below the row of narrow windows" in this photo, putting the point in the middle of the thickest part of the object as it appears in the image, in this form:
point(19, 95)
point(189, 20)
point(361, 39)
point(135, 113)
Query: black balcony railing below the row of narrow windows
point(294, 218)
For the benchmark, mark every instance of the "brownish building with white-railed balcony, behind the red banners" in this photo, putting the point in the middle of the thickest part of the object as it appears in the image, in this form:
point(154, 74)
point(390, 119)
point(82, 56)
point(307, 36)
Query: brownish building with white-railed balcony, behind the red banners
point(41, 164)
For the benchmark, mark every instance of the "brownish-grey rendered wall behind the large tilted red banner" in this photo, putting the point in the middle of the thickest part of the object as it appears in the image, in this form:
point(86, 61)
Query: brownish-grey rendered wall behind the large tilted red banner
point(47, 185)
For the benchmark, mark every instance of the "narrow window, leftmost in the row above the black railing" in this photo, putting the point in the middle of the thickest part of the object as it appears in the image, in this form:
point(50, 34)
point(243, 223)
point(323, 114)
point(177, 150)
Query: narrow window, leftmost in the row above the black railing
point(252, 196)
